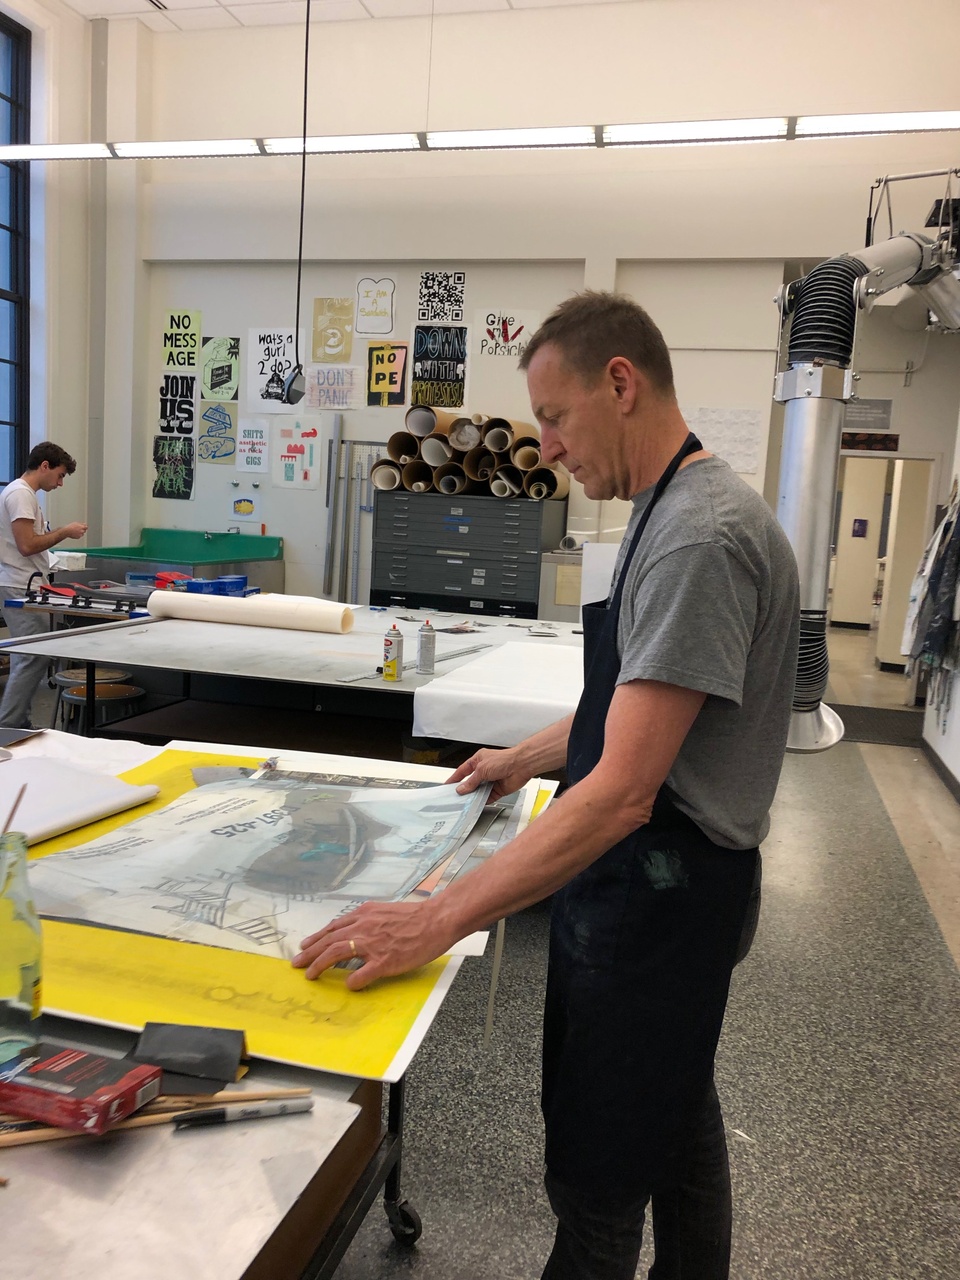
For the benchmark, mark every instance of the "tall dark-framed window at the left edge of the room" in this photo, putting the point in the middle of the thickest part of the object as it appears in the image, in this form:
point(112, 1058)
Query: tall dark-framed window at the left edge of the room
point(15, 254)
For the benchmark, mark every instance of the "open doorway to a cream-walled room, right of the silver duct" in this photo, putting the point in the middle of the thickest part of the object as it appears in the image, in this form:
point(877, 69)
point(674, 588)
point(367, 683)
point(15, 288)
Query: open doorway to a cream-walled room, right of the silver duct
point(884, 520)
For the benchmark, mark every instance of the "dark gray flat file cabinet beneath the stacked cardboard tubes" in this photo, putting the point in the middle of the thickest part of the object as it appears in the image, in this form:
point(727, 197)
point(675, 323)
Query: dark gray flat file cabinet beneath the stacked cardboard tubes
point(468, 554)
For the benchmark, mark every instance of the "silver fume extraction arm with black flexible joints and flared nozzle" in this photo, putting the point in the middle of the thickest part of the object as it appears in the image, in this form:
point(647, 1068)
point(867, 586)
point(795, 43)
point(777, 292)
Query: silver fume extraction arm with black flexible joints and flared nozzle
point(820, 316)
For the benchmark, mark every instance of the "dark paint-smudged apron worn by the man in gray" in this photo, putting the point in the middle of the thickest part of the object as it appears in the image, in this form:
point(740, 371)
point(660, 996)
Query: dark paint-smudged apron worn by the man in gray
point(642, 948)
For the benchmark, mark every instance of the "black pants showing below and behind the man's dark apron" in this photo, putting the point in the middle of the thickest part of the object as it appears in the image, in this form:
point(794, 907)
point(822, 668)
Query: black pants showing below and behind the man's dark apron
point(692, 1214)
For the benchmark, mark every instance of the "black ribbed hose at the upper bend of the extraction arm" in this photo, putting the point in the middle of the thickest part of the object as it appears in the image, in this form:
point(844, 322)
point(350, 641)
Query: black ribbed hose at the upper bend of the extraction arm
point(825, 314)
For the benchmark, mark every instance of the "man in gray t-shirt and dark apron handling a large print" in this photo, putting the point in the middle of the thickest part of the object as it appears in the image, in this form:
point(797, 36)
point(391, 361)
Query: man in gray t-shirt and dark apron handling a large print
point(652, 853)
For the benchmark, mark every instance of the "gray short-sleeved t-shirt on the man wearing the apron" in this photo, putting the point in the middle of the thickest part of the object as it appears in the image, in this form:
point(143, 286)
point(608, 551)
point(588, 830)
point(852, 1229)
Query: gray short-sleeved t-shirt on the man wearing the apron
point(711, 602)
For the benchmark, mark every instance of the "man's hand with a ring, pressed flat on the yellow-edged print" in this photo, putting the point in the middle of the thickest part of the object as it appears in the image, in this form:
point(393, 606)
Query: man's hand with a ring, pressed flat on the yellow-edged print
point(390, 939)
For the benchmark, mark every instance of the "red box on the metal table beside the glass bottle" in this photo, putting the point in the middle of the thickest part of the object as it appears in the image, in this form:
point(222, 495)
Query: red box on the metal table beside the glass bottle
point(71, 1089)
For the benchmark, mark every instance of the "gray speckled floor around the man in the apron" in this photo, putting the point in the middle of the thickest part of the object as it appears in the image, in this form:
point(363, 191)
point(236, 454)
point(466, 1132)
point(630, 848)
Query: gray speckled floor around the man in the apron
point(839, 1073)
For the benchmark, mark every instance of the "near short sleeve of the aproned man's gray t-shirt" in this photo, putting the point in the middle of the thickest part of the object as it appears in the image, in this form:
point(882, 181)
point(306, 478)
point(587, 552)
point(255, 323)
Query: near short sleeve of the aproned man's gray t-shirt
point(694, 619)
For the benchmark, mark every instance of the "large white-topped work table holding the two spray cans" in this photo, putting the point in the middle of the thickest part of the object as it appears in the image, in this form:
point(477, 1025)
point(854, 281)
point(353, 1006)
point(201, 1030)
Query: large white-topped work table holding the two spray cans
point(345, 664)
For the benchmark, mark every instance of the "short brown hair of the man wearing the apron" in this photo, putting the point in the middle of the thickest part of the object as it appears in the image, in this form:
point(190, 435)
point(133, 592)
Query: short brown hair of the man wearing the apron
point(592, 328)
